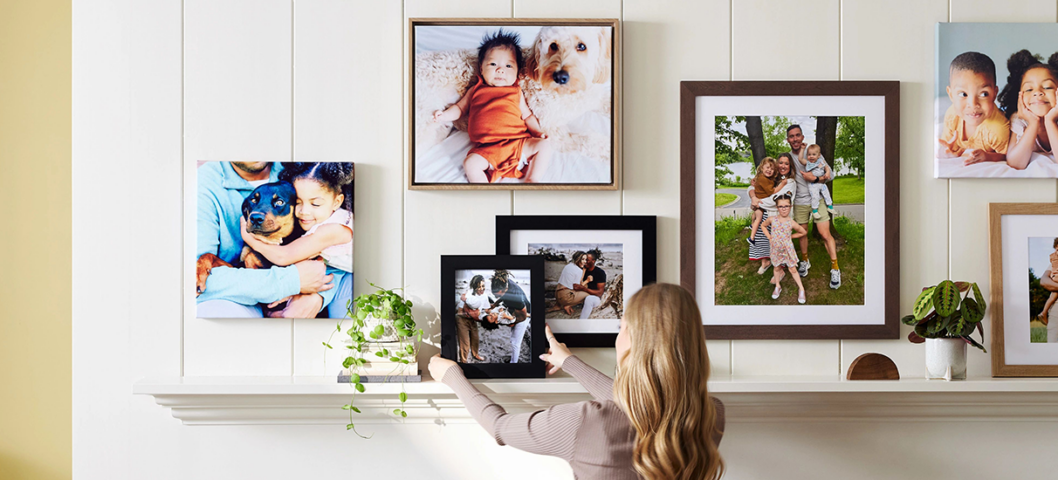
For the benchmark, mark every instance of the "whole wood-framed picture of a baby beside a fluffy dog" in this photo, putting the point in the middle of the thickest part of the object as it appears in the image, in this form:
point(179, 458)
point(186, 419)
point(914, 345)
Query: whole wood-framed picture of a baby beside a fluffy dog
point(514, 104)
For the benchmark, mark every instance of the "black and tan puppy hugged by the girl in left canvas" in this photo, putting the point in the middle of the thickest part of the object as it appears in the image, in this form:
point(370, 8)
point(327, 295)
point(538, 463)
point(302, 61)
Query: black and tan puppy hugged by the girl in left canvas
point(269, 212)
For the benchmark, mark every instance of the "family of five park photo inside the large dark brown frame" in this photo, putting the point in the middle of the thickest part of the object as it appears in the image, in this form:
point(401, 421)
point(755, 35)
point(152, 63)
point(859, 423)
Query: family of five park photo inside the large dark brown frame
point(790, 211)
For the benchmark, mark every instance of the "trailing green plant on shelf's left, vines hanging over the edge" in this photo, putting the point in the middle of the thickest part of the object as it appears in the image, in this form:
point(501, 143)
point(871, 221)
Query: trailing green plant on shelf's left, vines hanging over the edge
point(385, 340)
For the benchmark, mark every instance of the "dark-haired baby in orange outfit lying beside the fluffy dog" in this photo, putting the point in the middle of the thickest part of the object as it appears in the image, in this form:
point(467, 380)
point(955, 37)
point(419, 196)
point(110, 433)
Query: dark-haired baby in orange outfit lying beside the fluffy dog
point(508, 141)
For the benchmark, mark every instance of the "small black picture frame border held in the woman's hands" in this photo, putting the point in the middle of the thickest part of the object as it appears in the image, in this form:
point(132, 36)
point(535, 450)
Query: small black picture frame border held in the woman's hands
point(450, 345)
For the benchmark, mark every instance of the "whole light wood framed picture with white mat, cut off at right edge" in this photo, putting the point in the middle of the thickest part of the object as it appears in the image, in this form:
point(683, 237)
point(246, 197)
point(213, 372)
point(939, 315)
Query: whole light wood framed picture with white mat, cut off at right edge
point(1024, 238)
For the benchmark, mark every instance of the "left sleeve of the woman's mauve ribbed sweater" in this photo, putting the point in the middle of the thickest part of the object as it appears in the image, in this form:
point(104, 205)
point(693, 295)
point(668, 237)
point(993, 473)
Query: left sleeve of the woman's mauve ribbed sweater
point(550, 432)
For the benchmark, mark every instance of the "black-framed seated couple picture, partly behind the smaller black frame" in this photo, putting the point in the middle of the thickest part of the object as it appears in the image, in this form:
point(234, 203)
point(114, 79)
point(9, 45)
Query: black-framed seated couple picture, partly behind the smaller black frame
point(593, 265)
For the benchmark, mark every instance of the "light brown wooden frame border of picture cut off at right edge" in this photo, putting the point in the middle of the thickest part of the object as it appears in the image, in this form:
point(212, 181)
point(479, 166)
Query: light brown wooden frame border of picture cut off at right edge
point(996, 213)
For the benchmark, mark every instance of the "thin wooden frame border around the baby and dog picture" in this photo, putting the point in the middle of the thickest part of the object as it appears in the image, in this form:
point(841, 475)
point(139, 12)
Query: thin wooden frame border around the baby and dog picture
point(615, 162)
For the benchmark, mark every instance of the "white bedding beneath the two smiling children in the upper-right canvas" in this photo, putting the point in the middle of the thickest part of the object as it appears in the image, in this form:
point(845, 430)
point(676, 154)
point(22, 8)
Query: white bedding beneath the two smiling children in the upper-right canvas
point(1041, 167)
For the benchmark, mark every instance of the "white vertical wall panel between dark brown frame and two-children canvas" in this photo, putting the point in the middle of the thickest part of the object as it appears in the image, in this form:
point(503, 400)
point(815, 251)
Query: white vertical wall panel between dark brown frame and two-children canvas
point(924, 232)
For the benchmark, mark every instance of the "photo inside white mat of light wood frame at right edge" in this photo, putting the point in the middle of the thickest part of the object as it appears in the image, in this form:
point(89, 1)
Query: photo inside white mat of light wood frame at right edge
point(1044, 290)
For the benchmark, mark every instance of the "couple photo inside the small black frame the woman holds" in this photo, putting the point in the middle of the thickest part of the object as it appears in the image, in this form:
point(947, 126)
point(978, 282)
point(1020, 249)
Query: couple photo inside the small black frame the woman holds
point(492, 317)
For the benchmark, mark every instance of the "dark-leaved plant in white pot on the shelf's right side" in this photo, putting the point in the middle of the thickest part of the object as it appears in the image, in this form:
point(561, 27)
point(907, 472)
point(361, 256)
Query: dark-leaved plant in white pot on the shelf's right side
point(945, 317)
